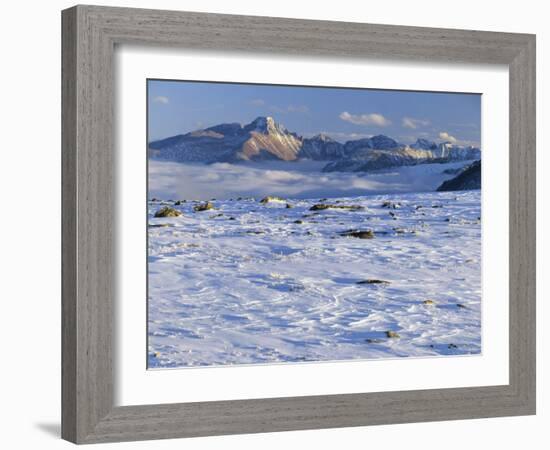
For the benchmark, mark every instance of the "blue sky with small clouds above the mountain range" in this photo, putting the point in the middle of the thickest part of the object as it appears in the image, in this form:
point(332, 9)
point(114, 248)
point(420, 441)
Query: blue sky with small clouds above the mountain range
point(177, 107)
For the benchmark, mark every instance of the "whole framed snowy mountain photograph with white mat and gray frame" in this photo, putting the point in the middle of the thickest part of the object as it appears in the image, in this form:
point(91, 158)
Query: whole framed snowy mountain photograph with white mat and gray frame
point(277, 224)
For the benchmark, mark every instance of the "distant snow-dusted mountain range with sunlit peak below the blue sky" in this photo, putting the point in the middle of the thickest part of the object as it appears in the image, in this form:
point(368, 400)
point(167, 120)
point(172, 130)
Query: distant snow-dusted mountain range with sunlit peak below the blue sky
point(263, 139)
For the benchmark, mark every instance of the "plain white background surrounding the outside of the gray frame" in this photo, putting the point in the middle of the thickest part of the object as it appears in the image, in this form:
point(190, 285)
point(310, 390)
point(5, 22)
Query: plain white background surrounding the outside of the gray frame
point(31, 238)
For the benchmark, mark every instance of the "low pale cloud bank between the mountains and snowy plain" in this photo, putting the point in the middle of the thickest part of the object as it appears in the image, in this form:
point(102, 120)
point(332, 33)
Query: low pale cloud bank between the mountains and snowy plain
point(293, 180)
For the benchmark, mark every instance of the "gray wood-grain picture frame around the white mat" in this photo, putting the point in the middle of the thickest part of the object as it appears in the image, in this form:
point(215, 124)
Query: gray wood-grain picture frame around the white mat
point(90, 34)
